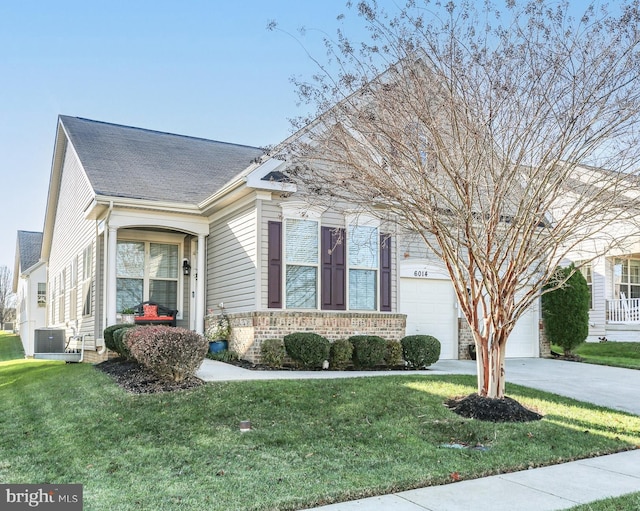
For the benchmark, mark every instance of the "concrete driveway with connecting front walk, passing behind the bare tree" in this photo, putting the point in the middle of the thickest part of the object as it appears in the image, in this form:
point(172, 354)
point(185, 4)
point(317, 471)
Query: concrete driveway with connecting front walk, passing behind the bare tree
point(605, 386)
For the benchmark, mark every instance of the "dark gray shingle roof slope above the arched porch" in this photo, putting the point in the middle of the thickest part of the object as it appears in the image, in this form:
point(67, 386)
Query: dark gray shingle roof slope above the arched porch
point(123, 161)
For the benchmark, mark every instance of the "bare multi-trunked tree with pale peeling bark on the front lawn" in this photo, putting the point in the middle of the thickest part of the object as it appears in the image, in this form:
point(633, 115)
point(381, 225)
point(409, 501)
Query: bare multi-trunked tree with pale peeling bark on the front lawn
point(469, 129)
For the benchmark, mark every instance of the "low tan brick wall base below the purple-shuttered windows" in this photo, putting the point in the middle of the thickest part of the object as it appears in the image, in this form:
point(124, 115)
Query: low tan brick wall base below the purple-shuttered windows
point(248, 330)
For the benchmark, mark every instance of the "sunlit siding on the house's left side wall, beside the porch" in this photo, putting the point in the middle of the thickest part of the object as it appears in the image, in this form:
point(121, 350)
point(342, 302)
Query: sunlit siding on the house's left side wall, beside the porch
point(72, 234)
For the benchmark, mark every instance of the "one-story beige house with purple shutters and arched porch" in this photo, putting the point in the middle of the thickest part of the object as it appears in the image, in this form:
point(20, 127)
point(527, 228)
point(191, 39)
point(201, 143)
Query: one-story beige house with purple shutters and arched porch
point(135, 215)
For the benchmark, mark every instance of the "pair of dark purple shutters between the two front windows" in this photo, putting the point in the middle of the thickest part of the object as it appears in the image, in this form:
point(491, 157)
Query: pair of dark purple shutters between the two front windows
point(333, 268)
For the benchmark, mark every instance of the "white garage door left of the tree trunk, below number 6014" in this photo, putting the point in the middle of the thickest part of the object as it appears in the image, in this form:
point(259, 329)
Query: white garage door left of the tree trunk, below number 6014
point(430, 306)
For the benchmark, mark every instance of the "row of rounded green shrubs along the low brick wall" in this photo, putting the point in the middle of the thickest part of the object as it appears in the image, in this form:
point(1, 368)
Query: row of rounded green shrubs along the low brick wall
point(312, 351)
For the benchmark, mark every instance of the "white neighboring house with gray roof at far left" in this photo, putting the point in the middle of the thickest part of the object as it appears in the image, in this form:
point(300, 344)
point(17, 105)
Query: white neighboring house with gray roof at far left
point(29, 285)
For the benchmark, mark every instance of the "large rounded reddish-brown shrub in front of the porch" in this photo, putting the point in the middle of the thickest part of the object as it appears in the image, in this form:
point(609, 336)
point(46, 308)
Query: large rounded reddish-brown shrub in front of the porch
point(169, 352)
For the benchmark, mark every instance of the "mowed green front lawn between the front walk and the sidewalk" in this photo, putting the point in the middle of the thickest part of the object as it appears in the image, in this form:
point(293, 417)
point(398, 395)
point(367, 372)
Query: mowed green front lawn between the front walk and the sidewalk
point(313, 441)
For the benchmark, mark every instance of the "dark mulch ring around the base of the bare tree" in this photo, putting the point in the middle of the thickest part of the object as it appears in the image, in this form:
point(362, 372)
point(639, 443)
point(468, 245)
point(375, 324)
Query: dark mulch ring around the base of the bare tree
point(506, 409)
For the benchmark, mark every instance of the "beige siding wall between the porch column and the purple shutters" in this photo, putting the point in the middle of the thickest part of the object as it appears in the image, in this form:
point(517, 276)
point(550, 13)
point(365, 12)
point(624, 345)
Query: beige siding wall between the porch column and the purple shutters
point(232, 261)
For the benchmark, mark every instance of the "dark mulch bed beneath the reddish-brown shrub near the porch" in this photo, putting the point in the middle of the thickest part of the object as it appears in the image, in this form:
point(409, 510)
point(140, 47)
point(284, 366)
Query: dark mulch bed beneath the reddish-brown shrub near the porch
point(134, 378)
